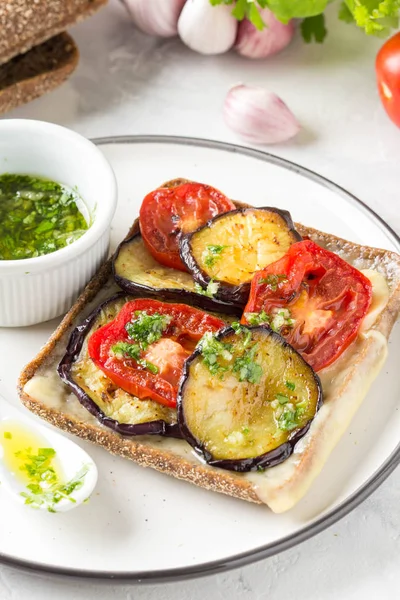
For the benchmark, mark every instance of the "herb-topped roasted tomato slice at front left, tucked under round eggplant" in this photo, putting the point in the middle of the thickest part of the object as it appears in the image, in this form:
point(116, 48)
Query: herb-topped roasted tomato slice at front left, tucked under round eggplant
point(167, 354)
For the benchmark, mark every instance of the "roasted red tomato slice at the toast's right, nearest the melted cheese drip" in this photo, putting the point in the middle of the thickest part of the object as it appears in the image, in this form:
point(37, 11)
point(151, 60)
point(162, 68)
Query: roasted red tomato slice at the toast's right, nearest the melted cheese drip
point(326, 299)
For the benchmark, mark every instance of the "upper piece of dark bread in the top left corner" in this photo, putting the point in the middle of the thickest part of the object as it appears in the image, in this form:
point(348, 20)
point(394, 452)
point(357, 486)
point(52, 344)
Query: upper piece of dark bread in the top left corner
point(27, 23)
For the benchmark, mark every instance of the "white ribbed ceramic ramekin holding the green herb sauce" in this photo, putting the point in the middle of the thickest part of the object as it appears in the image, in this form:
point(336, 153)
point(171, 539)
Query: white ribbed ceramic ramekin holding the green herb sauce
point(33, 290)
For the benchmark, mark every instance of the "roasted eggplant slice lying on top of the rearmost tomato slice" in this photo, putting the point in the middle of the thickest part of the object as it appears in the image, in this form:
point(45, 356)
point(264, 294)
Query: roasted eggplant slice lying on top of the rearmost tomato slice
point(230, 248)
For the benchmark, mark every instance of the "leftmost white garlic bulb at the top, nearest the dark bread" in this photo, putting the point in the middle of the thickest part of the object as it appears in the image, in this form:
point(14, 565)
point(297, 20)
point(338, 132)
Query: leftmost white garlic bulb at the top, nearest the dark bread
point(156, 17)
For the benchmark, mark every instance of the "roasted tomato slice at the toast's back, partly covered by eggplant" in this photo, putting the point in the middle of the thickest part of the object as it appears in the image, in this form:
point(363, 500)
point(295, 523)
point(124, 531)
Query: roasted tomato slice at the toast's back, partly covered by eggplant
point(166, 213)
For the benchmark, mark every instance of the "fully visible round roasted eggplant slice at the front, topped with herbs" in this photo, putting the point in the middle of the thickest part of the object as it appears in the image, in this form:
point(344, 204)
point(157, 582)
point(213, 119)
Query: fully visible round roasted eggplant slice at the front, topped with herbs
point(246, 398)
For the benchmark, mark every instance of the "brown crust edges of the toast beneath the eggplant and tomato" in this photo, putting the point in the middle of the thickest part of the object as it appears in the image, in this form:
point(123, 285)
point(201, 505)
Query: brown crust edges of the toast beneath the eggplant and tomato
point(166, 461)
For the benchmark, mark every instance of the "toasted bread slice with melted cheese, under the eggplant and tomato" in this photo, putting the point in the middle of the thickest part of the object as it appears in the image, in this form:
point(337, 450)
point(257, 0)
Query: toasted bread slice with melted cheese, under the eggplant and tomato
point(345, 384)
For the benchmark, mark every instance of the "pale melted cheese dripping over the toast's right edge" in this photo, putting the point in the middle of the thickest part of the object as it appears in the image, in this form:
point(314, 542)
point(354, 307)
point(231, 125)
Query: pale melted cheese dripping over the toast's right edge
point(344, 384)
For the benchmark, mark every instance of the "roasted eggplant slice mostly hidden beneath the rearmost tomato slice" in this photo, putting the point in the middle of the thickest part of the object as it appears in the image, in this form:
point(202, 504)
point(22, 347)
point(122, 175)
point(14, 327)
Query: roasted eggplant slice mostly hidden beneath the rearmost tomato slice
point(137, 272)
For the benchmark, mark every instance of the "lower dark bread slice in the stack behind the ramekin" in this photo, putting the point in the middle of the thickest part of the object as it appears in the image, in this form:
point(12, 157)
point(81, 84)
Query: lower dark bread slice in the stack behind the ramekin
point(30, 75)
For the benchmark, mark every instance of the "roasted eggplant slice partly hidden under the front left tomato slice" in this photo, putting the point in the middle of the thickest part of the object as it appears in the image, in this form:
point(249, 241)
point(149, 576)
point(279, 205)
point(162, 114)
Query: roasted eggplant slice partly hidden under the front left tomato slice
point(112, 406)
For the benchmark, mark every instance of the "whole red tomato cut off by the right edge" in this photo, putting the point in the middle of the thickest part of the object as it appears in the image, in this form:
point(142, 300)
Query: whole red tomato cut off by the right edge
point(388, 75)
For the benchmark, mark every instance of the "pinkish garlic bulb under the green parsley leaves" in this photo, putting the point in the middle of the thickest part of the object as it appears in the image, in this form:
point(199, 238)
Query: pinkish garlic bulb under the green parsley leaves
point(275, 36)
